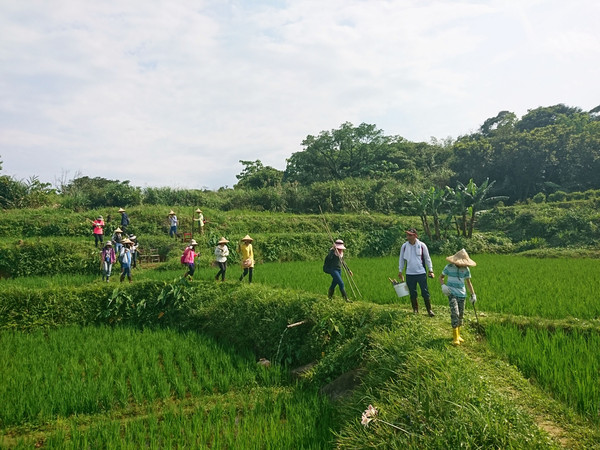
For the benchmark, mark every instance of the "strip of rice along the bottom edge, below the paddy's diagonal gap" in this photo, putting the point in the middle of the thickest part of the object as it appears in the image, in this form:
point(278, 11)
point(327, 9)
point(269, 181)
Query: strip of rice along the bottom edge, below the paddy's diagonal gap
point(261, 418)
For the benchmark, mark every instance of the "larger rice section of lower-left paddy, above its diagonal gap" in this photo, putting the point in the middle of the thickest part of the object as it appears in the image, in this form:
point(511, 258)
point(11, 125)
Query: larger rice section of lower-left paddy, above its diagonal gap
point(88, 370)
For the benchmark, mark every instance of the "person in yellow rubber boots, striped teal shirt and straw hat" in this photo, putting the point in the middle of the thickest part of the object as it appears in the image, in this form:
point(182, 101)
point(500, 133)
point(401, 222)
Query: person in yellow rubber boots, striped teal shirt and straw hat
point(457, 275)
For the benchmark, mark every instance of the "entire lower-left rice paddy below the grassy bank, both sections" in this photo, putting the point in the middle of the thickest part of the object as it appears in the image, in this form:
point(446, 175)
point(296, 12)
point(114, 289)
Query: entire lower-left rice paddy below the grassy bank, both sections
point(98, 387)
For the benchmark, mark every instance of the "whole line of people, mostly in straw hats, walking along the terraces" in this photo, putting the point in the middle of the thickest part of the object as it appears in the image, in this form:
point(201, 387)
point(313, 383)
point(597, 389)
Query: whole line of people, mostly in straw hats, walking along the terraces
point(414, 262)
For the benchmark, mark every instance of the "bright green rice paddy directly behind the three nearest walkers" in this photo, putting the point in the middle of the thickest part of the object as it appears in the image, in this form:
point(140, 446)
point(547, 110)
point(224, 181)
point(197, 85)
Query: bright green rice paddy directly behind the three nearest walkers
point(548, 288)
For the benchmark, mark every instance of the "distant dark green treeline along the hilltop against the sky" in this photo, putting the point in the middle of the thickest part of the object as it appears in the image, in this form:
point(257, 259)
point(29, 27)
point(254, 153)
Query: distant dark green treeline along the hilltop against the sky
point(547, 154)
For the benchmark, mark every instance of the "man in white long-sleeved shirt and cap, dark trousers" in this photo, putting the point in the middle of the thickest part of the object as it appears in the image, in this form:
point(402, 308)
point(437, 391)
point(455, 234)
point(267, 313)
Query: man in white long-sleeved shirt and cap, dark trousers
point(414, 254)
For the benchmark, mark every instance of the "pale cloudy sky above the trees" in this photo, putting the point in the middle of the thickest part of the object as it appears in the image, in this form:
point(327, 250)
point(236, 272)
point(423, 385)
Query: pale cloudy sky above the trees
point(176, 92)
